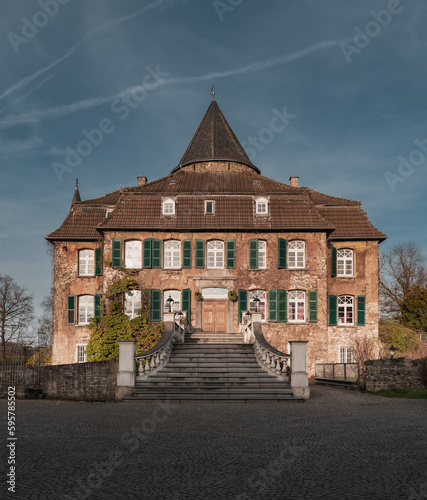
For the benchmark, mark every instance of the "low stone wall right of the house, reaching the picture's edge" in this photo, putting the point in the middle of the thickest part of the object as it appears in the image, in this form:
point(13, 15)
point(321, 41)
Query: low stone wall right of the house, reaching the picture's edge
point(401, 373)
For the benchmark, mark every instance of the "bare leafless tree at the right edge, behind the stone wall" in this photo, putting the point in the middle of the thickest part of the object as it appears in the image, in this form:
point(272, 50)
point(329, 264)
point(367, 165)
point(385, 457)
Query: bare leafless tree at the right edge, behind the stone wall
point(402, 268)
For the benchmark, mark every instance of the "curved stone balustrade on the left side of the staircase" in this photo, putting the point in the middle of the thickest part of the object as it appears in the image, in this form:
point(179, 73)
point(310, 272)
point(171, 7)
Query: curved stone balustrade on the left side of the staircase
point(156, 358)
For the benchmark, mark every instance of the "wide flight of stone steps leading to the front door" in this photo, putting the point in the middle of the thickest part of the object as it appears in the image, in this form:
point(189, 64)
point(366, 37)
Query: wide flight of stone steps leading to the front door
point(213, 367)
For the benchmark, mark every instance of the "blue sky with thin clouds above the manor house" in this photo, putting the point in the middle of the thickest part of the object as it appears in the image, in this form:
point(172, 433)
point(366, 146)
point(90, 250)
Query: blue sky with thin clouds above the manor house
point(143, 69)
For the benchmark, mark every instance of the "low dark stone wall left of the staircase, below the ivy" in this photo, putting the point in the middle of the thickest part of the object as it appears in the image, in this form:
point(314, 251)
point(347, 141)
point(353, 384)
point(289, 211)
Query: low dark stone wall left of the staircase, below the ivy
point(95, 381)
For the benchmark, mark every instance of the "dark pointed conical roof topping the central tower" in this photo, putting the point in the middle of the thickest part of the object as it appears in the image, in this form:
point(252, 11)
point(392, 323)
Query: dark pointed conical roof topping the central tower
point(214, 140)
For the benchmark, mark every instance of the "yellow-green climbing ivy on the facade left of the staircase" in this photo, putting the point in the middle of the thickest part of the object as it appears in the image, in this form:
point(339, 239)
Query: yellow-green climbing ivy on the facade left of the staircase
point(113, 324)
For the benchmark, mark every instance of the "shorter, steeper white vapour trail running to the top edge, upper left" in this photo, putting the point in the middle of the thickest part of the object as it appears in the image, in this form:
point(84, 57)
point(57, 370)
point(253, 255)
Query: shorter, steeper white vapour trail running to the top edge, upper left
point(28, 79)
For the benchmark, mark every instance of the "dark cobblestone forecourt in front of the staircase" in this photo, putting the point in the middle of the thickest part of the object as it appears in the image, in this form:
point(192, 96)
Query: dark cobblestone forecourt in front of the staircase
point(339, 445)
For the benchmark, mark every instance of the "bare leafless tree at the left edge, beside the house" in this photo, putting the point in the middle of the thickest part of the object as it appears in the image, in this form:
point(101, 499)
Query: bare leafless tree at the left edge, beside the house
point(16, 311)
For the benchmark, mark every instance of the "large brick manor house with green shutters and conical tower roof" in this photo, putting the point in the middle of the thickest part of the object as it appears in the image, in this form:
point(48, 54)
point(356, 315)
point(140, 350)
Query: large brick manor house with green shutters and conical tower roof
point(214, 239)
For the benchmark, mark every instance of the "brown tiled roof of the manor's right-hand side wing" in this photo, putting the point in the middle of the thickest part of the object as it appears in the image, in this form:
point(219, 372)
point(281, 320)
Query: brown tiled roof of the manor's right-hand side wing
point(350, 223)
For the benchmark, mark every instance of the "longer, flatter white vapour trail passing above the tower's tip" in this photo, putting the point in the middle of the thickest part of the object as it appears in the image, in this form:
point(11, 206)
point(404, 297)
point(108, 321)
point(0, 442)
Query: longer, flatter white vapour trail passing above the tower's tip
point(35, 116)
